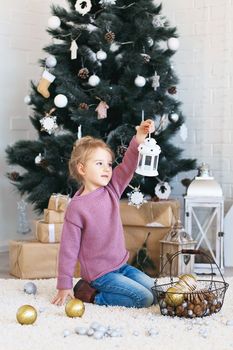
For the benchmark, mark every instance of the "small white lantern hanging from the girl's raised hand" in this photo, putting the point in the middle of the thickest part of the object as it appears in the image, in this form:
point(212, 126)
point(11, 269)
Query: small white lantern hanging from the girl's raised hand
point(148, 158)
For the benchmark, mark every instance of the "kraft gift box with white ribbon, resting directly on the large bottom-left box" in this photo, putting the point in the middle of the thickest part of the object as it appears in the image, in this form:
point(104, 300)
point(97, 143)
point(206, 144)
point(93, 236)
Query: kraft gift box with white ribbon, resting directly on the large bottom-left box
point(48, 233)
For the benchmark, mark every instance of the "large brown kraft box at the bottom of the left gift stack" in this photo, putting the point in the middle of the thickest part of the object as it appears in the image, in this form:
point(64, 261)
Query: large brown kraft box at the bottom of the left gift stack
point(32, 259)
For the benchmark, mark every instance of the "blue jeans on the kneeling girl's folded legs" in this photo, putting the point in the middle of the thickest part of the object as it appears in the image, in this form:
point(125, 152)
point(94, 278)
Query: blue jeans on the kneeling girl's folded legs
point(126, 286)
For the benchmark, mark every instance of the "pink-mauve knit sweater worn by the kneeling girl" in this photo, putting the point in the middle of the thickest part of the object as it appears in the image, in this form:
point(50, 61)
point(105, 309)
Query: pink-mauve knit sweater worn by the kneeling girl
point(92, 231)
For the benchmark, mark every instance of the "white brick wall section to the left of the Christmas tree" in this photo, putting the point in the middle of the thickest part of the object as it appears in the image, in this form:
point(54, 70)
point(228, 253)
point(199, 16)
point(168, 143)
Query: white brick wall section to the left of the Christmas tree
point(22, 37)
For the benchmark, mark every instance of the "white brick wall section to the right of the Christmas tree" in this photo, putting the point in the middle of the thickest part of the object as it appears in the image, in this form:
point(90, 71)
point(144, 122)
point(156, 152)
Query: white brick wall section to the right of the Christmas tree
point(204, 65)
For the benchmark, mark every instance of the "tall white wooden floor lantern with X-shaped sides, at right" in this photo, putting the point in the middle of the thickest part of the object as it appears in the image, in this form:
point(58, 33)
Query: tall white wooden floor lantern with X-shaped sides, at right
point(204, 212)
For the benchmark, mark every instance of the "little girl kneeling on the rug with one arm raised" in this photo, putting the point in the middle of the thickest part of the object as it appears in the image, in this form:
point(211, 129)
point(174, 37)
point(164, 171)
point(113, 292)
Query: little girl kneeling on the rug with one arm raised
point(93, 233)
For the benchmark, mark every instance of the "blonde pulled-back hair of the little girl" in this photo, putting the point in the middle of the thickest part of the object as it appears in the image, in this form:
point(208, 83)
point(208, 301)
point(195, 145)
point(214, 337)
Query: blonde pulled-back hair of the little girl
point(82, 150)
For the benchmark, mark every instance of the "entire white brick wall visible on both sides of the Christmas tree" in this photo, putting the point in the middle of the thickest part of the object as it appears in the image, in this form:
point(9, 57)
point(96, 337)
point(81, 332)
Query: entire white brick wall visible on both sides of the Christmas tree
point(203, 64)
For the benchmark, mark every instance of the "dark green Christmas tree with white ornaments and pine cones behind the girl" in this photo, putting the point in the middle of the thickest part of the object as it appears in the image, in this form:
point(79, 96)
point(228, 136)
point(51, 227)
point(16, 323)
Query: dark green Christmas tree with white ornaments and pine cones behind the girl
point(109, 64)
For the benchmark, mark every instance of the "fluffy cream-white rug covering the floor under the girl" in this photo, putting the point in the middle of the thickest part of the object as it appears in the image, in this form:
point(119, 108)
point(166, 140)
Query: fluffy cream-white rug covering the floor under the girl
point(213, 332)
